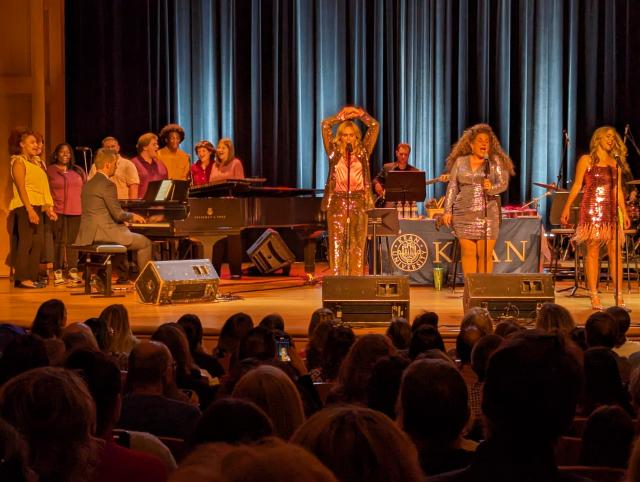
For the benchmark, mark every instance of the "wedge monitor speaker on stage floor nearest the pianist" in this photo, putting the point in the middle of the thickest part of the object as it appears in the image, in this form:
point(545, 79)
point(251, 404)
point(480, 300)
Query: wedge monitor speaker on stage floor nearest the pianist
point(184, 281)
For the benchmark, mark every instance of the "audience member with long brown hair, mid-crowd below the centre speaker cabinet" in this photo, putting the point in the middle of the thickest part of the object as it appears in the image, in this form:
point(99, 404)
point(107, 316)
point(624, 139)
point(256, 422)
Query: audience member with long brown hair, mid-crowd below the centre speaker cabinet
point(355, 371)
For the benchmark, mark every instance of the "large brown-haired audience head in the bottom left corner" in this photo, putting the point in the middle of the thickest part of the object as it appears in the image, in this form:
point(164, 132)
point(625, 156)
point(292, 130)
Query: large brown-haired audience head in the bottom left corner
point(54, 412)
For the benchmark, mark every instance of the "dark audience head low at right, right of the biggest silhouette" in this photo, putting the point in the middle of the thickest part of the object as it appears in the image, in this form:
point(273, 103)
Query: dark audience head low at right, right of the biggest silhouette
point(607, 438)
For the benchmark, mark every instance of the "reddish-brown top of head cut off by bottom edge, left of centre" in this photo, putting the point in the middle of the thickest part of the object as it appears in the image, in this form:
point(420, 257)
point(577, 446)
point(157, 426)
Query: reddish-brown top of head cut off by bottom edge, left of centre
point(272, 460)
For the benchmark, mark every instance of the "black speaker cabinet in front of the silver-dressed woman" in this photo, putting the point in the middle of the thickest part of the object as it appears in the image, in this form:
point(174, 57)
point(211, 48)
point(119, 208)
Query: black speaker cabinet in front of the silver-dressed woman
point(509, 295)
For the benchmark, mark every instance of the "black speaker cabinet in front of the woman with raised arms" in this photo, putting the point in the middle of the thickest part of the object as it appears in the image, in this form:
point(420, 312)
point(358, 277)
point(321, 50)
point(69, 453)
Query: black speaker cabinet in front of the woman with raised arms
point(366, 300)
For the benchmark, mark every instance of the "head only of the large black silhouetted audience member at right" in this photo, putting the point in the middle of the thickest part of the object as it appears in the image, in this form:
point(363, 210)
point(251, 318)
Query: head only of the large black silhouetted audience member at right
point(531, 388)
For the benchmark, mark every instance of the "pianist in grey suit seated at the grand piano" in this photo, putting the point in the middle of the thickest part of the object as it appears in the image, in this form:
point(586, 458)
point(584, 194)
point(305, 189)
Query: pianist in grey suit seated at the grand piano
point(102, 217)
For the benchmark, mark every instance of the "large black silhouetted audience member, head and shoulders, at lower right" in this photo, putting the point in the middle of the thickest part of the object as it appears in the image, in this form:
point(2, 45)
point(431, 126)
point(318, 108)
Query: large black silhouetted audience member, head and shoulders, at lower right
point(530, 395)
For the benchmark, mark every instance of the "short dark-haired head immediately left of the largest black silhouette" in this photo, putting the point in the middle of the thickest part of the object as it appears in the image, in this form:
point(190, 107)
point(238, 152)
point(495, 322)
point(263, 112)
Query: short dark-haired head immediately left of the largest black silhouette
point(434, 406)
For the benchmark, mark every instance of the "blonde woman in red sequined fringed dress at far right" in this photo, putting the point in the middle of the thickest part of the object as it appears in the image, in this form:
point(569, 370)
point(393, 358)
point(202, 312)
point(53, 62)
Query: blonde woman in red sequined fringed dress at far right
point(597, 176)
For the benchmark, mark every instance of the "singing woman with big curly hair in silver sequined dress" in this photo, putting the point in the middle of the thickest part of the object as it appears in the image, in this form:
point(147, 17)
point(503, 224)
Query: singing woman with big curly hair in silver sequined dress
point(479, 171)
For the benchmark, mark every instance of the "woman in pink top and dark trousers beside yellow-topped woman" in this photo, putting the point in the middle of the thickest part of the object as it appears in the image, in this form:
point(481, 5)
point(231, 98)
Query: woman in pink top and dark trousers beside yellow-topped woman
point(66, 181)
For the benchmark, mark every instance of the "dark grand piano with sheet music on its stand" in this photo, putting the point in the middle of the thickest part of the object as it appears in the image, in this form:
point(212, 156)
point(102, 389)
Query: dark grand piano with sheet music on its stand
point(213, 212)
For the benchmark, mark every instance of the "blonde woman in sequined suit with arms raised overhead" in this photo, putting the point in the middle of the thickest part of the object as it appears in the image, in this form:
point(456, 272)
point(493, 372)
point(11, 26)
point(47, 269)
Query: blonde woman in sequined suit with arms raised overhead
point(347, 194)
